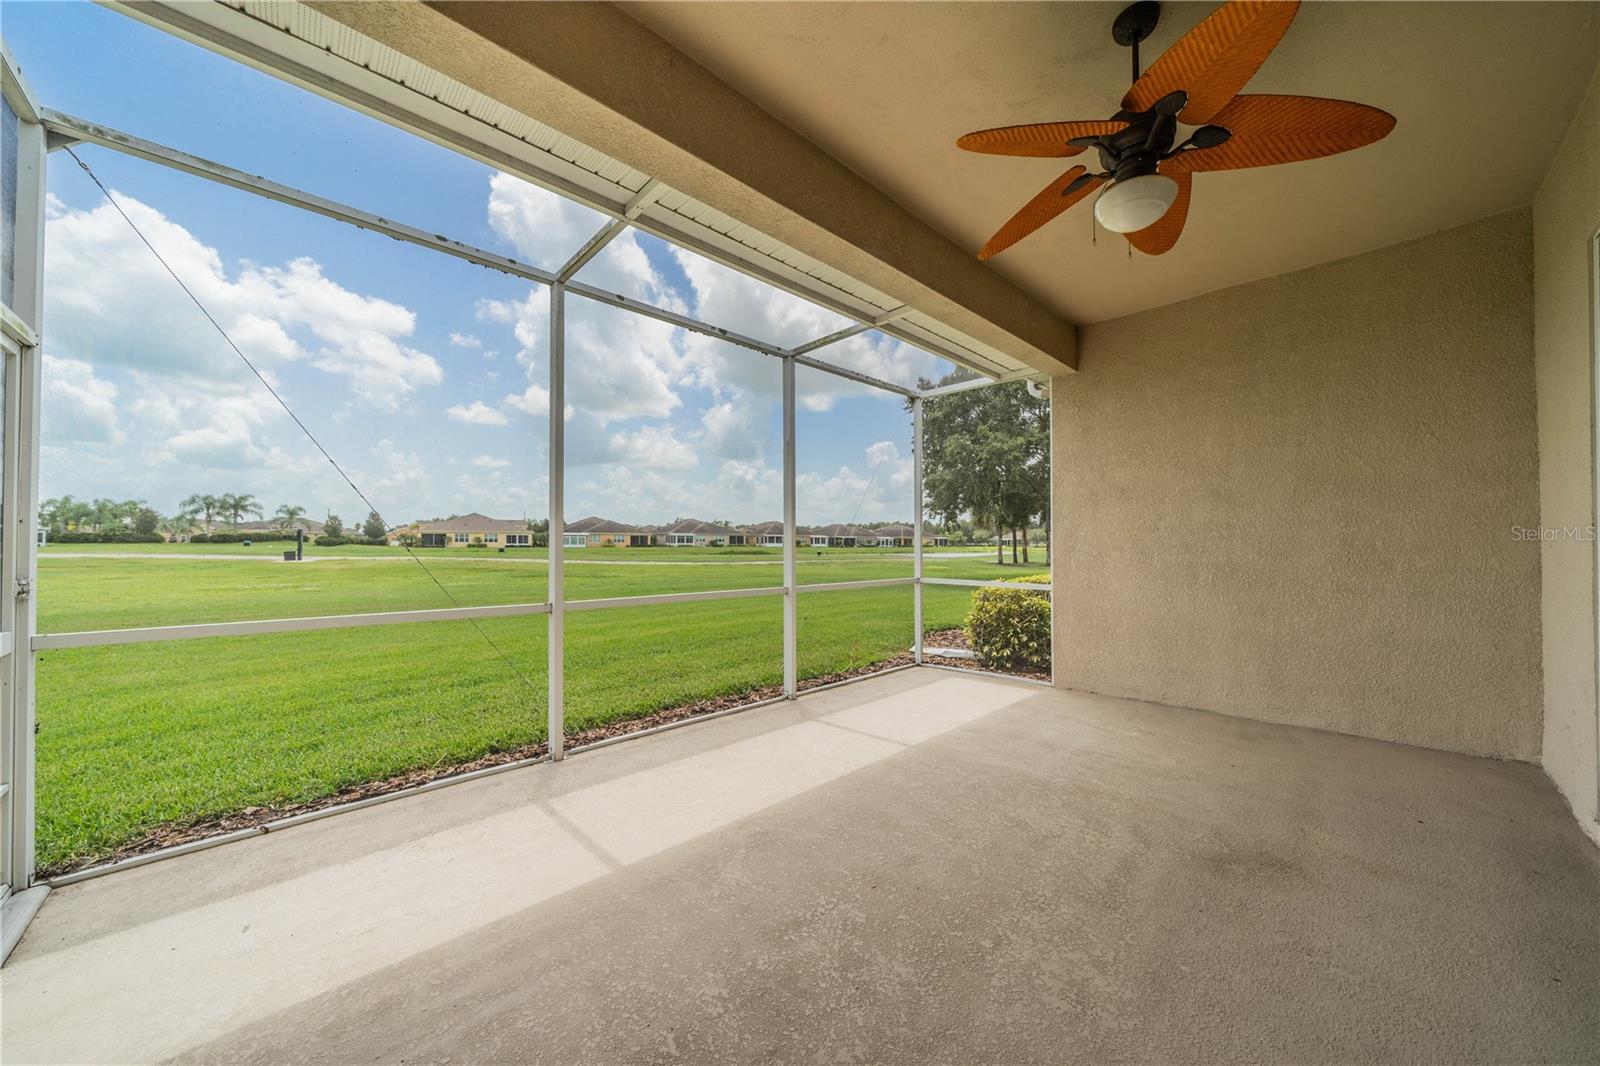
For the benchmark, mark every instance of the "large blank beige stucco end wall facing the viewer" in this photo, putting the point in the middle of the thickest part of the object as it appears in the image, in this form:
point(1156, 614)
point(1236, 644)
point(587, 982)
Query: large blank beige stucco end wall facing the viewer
point(1294, 500)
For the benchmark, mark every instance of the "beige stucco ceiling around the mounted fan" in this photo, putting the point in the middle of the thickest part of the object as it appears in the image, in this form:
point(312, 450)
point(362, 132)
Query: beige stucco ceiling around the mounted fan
point(1482, 92)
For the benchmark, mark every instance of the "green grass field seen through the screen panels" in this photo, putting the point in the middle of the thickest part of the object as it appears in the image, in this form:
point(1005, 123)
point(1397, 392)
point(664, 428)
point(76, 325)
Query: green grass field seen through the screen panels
point(140, 735)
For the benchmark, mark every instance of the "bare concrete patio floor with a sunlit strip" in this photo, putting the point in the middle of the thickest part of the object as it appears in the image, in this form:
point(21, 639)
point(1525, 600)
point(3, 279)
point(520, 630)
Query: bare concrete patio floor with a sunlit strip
point(918, 868)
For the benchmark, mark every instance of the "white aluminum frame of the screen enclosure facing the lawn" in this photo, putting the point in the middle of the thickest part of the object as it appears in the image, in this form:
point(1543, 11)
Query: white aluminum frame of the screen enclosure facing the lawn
point(57, 130)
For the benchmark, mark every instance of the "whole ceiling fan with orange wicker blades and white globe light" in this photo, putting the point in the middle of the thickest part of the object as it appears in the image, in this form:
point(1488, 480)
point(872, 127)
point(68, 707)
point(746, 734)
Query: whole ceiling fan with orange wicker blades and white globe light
point(1196, 82)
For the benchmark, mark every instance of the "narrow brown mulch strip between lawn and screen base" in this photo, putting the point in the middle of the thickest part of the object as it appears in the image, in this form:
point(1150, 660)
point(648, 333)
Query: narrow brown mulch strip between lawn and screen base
point(174, 835)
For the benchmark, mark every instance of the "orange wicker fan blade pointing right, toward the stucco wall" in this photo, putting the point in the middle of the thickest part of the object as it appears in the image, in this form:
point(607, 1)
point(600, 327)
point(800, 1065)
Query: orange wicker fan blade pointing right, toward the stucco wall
point(1282, 130)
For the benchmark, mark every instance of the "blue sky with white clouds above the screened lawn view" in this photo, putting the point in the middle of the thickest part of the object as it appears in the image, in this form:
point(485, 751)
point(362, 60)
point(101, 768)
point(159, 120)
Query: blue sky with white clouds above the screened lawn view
point(423, 375)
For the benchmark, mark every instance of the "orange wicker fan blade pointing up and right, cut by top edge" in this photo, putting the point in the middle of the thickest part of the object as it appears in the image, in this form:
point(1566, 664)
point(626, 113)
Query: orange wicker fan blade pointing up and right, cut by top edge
point(1215, 60)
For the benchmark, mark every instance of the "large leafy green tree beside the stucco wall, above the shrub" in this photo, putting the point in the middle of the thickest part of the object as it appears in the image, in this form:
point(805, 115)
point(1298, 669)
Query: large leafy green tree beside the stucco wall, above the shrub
point(986, 455)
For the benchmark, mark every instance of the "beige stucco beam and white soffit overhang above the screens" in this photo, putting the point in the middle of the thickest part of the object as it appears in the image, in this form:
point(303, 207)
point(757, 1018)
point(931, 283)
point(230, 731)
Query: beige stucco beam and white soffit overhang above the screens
point(732, 183)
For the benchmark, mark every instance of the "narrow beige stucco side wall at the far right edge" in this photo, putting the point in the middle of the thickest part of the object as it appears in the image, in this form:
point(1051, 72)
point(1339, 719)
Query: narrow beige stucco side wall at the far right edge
point(1566, 217)
